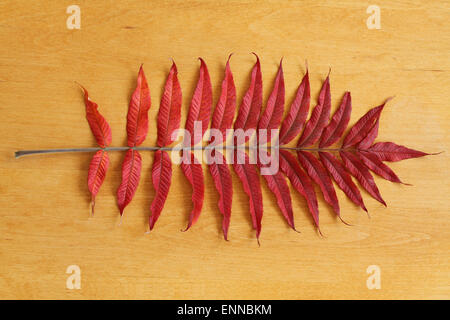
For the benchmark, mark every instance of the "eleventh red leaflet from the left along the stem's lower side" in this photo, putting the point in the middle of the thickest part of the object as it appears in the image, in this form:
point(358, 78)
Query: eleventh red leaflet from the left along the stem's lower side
point(362, 174)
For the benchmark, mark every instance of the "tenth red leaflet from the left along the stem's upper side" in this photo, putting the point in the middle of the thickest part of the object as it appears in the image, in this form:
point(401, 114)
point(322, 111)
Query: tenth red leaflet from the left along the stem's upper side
point(333, 132)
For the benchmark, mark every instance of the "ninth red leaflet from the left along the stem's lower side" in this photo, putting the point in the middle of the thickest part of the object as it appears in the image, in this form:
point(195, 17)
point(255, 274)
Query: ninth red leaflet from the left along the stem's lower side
point(320, 176)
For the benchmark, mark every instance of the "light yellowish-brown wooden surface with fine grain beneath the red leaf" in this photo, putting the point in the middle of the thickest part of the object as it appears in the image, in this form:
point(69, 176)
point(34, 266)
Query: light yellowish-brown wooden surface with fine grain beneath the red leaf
point(44, 200)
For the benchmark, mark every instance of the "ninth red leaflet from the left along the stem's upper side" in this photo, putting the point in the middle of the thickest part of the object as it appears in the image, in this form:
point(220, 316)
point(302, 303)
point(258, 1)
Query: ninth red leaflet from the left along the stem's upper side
point(319, 117)
